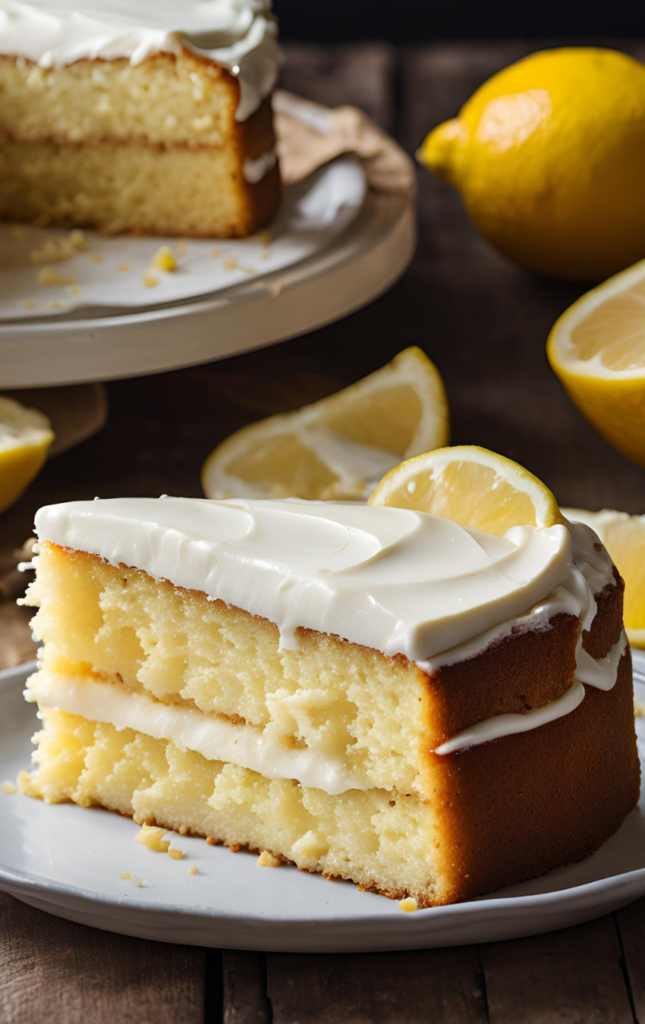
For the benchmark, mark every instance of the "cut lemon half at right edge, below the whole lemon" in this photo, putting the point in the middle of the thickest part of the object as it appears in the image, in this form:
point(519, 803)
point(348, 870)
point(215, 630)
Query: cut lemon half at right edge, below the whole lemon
point(597, 349)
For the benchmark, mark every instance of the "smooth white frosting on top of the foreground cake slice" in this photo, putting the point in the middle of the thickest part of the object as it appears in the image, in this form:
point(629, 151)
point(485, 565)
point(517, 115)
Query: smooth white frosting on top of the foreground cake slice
point(395, 580)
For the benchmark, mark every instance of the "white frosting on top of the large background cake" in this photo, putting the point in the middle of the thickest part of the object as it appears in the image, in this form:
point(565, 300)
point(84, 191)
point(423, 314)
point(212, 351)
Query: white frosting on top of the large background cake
point(240, 35)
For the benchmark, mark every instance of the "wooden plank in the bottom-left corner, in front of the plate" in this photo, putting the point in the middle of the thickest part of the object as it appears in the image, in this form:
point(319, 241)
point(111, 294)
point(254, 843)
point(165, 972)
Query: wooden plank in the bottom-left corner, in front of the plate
point(55, 971)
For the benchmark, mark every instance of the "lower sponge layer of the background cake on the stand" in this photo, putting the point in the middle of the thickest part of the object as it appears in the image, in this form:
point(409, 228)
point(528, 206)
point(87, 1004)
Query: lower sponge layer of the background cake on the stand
point(179, 191)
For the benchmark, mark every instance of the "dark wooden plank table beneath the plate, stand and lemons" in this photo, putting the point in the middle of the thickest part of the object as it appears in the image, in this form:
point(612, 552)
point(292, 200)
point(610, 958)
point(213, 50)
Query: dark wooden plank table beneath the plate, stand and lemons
point(485, 322)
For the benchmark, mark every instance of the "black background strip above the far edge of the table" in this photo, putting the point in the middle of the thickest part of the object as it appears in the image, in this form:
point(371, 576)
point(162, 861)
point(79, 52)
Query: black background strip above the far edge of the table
point(421, 21)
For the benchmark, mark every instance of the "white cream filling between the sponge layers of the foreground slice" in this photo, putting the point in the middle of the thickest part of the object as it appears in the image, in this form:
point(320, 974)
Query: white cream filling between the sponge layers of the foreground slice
point(213, 738)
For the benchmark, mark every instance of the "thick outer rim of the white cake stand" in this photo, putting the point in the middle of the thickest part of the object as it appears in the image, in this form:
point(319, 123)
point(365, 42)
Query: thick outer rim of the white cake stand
point(361, 265)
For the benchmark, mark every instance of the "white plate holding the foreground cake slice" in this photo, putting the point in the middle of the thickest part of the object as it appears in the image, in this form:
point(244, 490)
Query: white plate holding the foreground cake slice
point(67, 861)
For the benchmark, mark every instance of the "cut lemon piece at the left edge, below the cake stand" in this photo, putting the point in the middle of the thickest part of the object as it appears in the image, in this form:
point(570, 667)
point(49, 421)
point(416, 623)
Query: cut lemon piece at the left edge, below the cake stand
point(25, 438)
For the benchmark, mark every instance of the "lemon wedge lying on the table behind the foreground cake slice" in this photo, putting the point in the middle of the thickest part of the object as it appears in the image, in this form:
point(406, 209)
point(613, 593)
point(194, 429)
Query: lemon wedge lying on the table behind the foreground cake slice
point(338, 448)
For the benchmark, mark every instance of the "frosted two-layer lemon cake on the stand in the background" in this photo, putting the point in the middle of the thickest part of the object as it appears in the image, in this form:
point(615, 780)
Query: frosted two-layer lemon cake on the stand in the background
point(153, 118)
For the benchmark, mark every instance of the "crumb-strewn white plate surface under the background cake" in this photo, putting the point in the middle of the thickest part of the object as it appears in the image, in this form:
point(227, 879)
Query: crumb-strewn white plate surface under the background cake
point(109, 276)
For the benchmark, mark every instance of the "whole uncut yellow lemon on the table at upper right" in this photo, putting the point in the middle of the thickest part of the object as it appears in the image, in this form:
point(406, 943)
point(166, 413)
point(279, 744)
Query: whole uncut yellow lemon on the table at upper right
point(549, 156)
